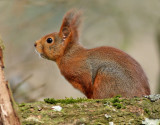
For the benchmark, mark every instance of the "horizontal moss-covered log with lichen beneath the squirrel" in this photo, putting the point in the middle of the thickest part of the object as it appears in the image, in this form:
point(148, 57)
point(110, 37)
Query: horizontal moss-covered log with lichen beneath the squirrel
point(87, 111)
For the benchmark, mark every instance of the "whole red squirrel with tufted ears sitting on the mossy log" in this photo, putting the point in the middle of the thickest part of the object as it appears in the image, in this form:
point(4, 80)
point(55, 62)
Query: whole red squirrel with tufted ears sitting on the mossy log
point(101, 72)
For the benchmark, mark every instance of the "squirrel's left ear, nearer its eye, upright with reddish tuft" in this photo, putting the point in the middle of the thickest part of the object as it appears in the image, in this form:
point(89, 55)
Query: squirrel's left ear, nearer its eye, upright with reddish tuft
point(65, 27)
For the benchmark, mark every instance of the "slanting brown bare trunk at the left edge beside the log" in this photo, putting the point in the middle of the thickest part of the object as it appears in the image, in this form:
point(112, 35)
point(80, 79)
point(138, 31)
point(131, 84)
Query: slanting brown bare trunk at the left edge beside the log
point(8, 115)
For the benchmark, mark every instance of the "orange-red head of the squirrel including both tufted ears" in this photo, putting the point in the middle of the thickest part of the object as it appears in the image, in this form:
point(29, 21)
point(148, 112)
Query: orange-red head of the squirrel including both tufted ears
point(52, 46)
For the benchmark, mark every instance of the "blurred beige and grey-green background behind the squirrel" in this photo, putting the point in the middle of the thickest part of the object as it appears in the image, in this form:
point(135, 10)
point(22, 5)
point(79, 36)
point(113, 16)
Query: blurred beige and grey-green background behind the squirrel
point(132, 26)
